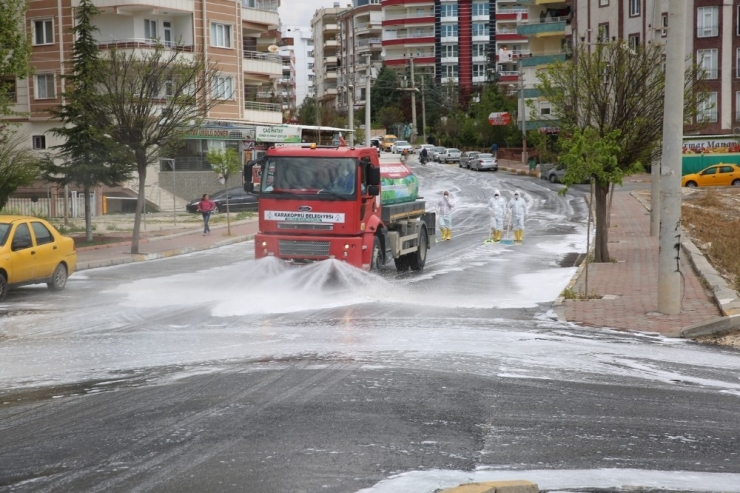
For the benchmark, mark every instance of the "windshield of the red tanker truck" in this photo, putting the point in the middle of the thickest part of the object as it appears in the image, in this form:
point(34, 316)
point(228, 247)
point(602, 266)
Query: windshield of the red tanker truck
point(309, 175)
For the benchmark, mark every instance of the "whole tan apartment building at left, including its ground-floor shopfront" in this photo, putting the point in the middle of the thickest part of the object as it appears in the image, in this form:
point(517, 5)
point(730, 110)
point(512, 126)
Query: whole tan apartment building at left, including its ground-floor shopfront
point(239, 36)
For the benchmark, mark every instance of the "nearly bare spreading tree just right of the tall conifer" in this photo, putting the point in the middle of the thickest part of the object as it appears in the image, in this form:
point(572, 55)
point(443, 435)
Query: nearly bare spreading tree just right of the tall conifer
point(149, 100)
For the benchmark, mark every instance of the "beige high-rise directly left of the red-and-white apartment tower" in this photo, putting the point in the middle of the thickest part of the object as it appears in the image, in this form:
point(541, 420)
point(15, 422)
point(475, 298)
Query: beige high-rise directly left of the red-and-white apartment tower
point(360, 40)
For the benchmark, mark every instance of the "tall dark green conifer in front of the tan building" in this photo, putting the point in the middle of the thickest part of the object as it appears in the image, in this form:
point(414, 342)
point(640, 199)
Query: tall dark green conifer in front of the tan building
point(89, 156)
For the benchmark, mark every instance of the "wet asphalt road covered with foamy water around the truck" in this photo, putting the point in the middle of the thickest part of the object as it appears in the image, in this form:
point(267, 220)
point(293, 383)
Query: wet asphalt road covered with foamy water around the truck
point(213, 372)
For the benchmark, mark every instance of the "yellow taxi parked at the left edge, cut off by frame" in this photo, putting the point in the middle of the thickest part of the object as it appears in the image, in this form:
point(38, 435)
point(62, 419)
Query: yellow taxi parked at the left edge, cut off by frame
point(32, 251)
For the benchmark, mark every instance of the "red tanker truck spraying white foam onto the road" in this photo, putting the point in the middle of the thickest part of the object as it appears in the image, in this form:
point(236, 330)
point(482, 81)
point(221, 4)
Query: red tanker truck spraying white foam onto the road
point(318, 203)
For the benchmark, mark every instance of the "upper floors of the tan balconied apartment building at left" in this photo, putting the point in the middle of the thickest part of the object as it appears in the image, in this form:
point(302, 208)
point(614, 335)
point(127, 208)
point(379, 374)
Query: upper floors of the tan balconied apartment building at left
point(233, 34)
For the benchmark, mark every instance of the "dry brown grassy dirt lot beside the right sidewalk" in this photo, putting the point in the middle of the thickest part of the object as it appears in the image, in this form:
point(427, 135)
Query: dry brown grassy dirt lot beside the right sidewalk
point(711, 218)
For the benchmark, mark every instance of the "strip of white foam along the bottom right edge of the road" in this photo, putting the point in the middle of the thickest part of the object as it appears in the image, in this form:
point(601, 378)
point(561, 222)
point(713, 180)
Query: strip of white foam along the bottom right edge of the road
point(624, 479)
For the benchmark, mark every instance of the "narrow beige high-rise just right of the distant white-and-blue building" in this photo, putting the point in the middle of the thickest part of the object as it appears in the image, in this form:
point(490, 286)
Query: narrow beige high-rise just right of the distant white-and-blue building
point(325, 26)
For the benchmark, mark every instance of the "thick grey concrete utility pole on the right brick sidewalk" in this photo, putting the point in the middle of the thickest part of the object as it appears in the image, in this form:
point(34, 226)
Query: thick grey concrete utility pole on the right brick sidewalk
point(669, 254)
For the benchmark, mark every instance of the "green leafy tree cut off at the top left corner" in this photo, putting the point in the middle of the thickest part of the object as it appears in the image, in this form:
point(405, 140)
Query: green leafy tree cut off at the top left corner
point(15, 51)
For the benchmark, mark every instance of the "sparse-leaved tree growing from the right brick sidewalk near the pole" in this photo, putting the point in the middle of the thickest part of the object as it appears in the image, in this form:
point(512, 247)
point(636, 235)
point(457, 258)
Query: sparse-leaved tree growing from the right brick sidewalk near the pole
point(617, 90)
